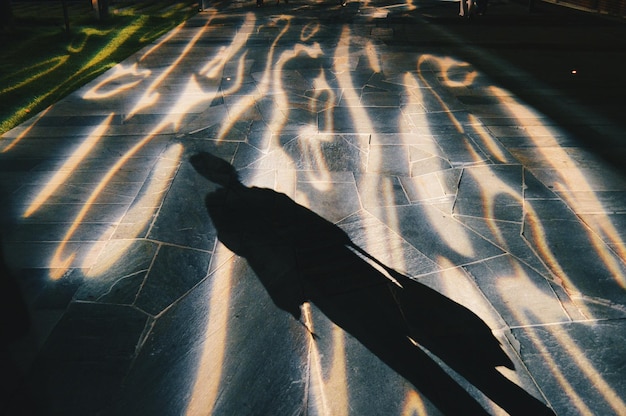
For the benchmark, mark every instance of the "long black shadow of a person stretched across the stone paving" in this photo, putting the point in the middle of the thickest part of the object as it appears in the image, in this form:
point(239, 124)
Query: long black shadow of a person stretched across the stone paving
point(300, 257)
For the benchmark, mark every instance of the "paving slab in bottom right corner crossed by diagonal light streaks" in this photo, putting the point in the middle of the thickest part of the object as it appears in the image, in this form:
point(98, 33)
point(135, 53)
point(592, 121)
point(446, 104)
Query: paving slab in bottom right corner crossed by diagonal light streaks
point(583, 374)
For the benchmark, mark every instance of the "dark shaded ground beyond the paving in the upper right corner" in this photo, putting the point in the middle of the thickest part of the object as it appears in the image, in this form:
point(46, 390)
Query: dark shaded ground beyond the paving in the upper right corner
point(547, 44)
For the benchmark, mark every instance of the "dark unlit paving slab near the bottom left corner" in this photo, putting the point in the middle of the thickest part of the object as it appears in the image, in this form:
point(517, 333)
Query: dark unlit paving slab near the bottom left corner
point(89, 350)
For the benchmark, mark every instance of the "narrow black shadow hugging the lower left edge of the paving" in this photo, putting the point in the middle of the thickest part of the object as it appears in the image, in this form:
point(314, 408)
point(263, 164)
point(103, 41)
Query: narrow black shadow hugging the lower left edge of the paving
point(14, 324)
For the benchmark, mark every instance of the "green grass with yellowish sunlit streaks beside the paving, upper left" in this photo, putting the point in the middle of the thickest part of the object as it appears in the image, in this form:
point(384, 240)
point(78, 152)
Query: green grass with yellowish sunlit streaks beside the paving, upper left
point(41, 63)
